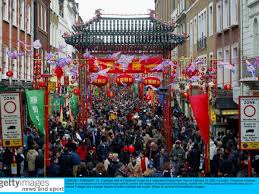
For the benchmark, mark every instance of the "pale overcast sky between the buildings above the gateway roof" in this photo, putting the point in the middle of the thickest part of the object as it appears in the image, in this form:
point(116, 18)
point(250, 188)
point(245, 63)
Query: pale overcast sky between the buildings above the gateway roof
point(87, 7)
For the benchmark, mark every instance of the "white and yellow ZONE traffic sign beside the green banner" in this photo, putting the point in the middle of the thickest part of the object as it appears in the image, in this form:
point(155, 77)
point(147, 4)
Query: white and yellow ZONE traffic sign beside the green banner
point(11, 127)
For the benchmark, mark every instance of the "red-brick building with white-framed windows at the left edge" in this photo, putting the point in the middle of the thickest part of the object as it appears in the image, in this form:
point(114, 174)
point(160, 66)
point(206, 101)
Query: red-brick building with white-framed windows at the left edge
point(16, 32)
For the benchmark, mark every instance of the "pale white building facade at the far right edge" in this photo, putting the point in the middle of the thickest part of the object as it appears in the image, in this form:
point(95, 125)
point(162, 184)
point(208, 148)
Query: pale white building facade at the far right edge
point(249, 46)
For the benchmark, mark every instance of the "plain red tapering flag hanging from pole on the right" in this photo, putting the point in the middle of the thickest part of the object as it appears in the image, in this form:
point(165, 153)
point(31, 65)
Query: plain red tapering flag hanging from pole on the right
point(200, 108)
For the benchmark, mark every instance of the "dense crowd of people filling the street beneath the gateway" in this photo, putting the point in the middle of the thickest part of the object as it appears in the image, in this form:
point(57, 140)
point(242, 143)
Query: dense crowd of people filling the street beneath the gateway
point(124, 137)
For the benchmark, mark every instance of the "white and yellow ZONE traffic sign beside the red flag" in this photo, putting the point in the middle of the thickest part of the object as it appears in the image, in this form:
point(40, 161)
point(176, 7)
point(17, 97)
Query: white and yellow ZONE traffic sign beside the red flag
point(249, 122)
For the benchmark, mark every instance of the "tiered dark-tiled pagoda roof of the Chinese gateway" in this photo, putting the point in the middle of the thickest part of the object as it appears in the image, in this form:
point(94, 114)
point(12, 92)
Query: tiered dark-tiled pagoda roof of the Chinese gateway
point(129, 34)
